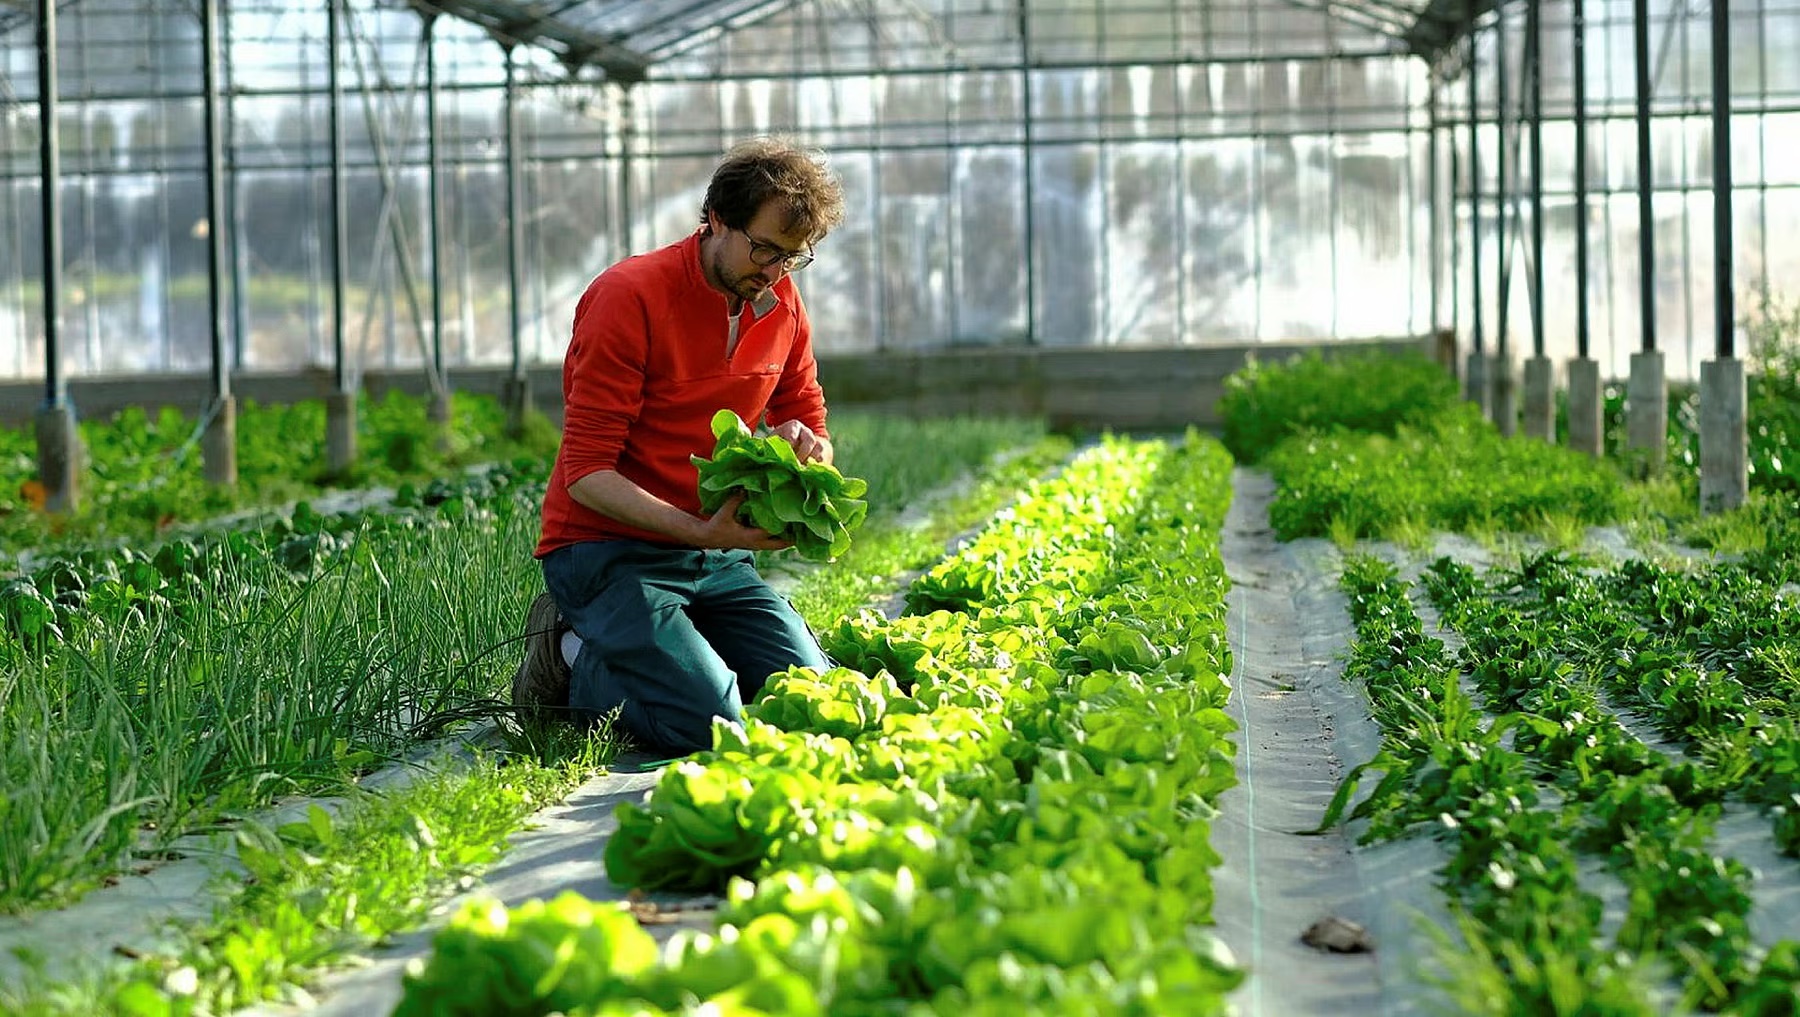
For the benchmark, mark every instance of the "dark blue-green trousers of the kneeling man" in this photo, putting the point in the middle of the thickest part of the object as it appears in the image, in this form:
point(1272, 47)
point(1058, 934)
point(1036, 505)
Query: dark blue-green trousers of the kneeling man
point(672, 636)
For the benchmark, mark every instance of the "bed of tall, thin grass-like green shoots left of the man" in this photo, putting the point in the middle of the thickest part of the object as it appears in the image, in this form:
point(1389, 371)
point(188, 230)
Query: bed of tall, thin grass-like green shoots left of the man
point(260, 681)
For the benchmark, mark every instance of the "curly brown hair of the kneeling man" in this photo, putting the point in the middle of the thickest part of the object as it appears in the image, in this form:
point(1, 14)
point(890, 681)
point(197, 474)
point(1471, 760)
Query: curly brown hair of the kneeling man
point(773, 170)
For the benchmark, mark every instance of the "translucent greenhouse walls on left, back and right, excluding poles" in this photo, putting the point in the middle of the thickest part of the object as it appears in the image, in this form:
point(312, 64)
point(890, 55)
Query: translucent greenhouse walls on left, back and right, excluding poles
point(1063, 172)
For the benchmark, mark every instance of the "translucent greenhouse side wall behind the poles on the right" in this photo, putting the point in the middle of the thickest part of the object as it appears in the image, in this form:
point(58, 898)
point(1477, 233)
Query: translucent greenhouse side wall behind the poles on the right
point(1765, 66)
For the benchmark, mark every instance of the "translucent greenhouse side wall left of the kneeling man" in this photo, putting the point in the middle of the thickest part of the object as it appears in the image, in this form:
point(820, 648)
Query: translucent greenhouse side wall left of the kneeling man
point(134, 204)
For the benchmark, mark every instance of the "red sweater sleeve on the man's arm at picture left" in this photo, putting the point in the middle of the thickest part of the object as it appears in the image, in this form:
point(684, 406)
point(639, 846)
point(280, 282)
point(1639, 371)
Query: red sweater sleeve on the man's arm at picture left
point(604, 375)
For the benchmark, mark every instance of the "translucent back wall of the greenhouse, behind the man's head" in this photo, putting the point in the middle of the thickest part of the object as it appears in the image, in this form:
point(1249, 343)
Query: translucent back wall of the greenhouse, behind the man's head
point(1164, 174)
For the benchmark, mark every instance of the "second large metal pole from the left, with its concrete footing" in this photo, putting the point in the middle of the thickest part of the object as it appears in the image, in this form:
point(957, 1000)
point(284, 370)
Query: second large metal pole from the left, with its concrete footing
point(220, 440)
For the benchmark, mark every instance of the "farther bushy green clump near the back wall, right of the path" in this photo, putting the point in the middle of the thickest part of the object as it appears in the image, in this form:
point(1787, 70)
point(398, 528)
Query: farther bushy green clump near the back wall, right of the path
point(1378, 393)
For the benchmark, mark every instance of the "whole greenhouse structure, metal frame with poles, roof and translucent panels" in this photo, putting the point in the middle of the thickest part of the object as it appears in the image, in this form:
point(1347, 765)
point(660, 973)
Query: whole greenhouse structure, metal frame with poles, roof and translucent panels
point(431, 184)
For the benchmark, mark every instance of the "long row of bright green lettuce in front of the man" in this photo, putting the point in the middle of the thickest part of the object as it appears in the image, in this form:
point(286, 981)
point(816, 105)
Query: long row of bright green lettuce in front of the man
point(1000, 804)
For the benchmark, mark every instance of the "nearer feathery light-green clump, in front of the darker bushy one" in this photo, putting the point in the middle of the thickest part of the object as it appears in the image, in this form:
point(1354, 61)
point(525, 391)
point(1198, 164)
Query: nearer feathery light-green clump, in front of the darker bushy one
point(1455, 472)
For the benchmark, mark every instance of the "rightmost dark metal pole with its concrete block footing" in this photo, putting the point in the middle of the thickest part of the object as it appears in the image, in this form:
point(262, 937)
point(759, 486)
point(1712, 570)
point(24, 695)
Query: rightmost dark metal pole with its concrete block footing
point(1723, 420)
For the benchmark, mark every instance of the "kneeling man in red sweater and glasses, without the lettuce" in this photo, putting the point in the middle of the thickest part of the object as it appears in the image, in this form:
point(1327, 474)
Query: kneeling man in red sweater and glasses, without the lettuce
point(654, 609)
